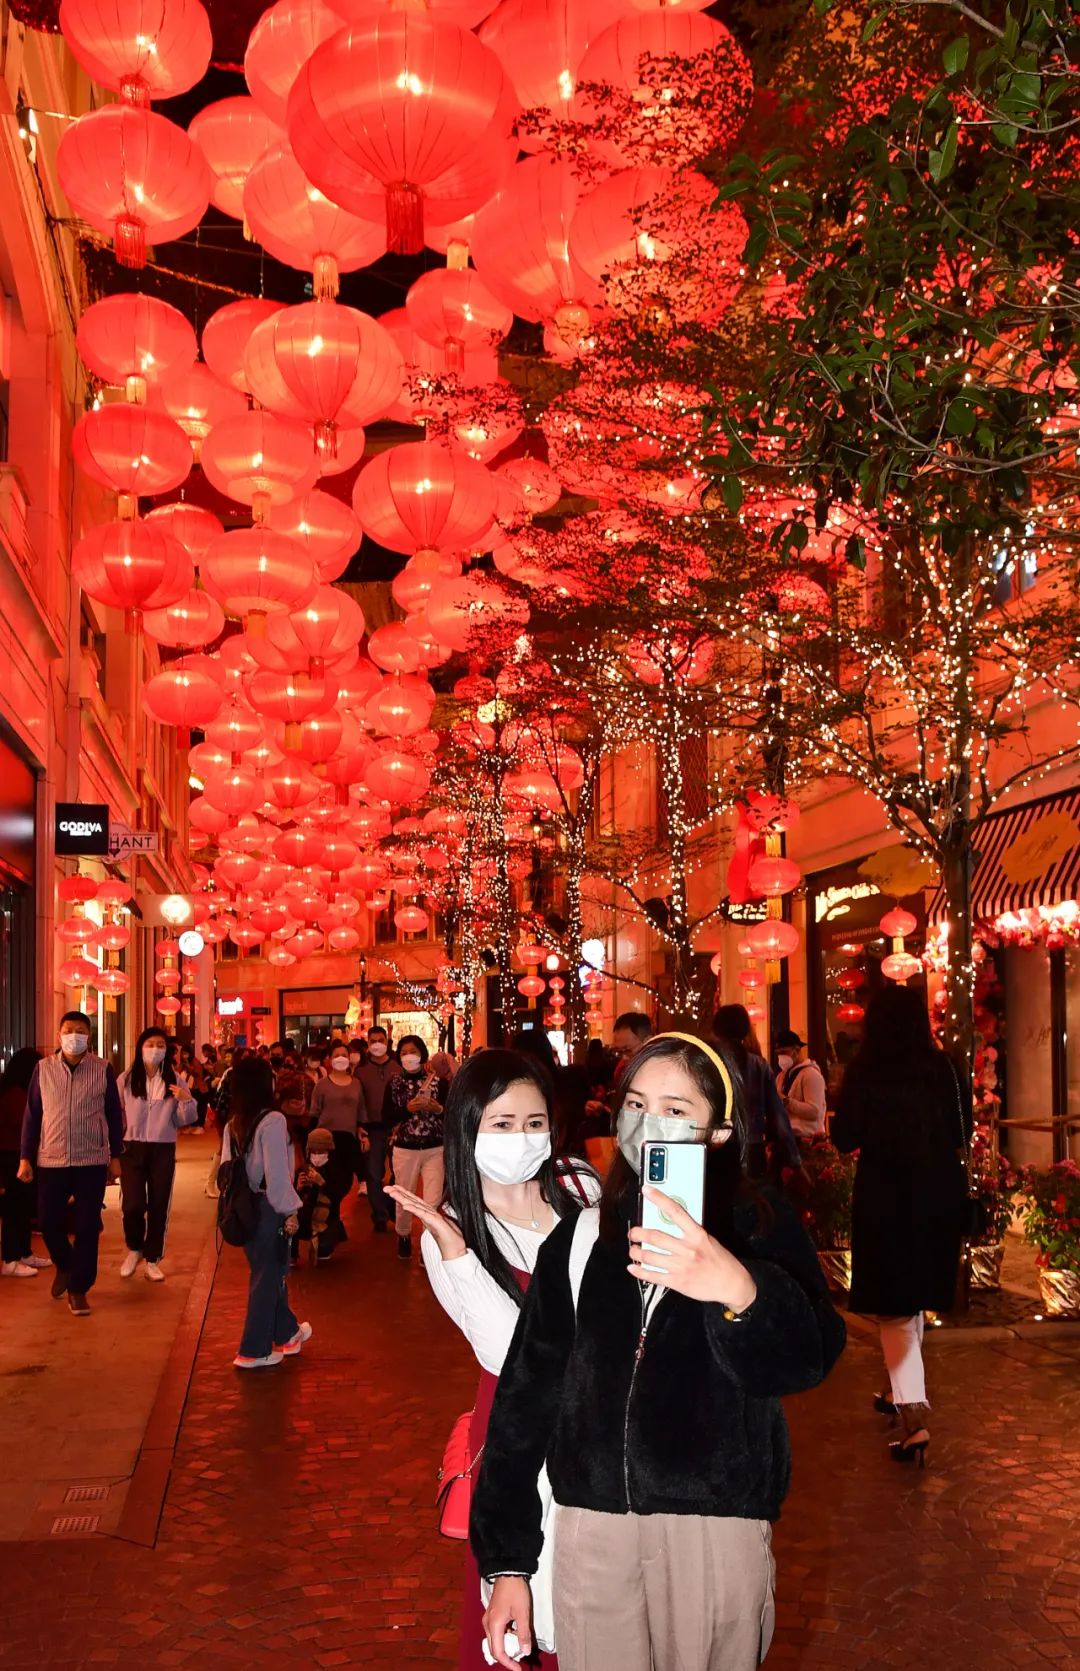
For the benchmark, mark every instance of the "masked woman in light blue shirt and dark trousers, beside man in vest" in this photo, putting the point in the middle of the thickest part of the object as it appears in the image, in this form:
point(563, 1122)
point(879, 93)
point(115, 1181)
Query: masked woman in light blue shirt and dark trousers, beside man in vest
point(156, 1104)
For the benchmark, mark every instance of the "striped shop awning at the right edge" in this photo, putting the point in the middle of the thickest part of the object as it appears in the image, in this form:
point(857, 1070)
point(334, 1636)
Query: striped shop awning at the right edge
point(1026, 856)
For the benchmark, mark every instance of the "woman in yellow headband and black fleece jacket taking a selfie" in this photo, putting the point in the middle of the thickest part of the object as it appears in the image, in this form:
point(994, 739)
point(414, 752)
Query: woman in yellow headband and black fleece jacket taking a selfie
point(655, 1396)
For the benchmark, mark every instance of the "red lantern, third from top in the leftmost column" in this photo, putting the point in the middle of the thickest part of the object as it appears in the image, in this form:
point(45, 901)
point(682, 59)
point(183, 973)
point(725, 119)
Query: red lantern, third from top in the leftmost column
point(135, 342)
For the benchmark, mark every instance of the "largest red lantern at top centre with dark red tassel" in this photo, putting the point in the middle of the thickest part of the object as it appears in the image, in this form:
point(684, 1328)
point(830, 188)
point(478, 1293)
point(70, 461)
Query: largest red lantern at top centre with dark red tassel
point(400, 99)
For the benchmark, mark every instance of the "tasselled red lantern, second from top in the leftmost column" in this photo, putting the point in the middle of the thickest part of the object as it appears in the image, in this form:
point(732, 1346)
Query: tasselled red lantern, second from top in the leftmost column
point(135, 178)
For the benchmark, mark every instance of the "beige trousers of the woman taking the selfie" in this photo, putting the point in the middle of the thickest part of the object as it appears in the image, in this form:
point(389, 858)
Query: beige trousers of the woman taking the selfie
point(661, 1592)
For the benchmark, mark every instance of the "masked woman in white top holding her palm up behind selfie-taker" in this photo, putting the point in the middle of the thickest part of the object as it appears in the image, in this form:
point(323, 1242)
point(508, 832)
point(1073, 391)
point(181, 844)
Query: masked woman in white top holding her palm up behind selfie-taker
point(506, 1192)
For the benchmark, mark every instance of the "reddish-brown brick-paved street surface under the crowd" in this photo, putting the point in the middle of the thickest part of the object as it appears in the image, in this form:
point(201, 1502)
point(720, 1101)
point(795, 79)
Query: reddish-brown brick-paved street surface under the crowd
point(292, 1521)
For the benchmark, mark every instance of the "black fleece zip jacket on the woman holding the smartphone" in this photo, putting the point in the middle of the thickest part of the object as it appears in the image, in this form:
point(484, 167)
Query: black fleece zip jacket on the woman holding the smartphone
point(681, 1421)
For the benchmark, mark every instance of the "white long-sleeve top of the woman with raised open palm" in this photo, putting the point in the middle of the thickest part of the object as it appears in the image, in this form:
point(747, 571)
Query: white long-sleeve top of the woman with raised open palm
point(472, 1299)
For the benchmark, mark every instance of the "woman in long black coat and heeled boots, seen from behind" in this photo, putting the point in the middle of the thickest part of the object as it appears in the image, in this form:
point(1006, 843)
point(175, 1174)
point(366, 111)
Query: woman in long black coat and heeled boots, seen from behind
point(907, 1109)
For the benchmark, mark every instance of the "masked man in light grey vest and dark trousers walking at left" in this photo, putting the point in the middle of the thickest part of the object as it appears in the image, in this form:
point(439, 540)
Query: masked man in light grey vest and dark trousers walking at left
point(73, 1137)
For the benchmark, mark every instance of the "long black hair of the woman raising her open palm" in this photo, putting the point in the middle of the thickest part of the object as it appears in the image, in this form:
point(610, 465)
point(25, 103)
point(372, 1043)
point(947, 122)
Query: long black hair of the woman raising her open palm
point(484, 1079)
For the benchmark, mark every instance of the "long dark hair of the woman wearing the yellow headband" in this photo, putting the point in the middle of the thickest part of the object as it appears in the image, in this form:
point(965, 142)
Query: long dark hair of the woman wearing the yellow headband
point(725, 1172)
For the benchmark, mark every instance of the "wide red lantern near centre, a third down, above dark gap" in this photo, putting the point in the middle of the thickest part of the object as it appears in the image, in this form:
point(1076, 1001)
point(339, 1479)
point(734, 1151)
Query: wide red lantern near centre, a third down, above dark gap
point(422, 497)
